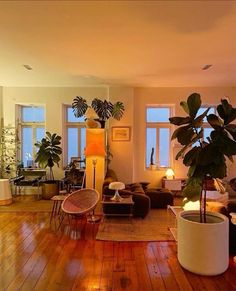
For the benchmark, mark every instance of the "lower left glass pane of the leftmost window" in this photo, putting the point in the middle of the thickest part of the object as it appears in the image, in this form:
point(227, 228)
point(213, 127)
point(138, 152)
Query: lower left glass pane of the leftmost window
point(27, 145)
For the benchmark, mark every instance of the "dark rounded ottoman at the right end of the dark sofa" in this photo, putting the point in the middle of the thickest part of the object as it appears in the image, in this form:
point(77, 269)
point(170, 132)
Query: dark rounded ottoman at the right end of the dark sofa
point(160, 198)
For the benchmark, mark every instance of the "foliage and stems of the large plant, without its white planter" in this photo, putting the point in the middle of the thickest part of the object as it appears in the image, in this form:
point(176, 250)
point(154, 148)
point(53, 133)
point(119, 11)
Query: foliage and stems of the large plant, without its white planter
point(205, 158)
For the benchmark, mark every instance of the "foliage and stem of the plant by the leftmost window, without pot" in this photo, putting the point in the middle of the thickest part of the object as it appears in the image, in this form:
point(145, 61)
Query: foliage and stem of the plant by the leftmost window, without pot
point(49, 152)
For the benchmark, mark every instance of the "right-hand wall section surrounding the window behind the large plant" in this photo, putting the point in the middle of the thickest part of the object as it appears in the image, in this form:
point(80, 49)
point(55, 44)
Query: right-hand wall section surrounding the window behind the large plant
point(144, 96)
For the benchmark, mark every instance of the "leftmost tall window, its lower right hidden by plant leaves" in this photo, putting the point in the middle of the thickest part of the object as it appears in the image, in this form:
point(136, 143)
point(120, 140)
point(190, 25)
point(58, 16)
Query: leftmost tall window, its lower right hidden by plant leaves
point(32, 129)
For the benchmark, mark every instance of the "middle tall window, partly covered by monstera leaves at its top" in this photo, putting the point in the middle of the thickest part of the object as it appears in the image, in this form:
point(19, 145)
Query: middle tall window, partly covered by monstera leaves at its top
point(75, 135)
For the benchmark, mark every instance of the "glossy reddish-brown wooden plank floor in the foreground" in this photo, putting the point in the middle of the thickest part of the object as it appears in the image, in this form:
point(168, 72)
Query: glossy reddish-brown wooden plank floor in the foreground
point(35, 257)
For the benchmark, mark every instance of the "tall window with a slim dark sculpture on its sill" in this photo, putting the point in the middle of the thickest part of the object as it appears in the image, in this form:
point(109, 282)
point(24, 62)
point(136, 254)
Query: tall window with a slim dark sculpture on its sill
point(158, 134)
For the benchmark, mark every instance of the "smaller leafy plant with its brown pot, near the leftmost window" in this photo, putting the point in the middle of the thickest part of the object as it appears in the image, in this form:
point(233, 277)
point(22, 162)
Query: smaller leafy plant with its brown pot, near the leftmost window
point(47, 156)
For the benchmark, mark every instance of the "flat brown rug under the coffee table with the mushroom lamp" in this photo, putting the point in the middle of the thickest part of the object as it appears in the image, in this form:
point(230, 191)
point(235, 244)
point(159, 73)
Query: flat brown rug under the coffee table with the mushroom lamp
point(154, 227)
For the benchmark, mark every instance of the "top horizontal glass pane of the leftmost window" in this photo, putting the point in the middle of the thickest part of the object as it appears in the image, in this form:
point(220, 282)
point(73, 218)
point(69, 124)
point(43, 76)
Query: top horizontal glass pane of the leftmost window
point(33, 114)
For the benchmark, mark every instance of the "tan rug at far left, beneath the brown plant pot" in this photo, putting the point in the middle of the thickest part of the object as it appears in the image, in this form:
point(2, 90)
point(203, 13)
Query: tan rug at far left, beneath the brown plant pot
point(27, 203)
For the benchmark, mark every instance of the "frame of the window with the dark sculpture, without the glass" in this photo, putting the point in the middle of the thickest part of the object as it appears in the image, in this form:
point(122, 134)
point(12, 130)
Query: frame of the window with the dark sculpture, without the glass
point(158, 125)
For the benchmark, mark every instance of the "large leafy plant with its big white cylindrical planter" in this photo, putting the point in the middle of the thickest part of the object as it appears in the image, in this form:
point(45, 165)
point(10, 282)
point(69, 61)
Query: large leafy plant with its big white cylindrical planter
point(203, 235)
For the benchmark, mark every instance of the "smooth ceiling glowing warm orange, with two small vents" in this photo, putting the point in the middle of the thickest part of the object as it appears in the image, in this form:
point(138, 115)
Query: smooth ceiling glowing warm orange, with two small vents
point(133, 43)
